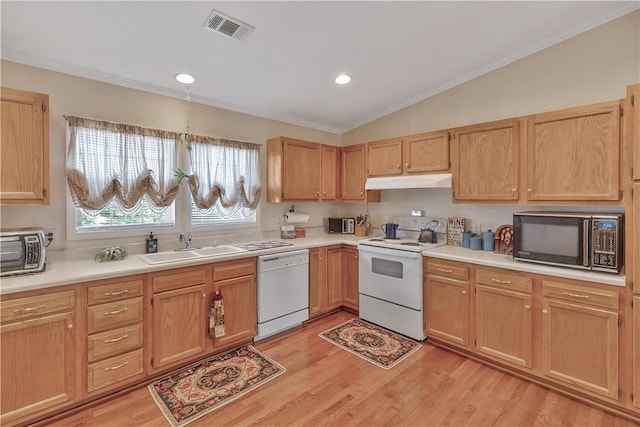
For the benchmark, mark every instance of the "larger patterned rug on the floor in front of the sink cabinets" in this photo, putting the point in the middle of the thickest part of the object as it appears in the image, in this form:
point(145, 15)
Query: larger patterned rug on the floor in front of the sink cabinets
point(209, 384)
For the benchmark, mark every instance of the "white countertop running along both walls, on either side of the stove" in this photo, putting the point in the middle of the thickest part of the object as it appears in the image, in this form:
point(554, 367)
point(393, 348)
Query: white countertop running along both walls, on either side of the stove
point(66, 272)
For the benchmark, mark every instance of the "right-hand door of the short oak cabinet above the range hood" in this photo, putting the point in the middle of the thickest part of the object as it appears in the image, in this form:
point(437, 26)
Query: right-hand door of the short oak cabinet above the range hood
point(426, 152)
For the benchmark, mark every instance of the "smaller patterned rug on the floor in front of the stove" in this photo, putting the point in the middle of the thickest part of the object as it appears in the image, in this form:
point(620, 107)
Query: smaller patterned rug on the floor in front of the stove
point(372, 343)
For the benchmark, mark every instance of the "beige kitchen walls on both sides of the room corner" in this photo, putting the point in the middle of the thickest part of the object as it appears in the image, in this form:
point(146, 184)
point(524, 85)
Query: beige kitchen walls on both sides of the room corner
point(591, 67)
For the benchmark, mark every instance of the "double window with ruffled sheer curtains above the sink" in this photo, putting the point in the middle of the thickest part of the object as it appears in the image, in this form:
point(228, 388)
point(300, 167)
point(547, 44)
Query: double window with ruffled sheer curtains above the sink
point(123, 177)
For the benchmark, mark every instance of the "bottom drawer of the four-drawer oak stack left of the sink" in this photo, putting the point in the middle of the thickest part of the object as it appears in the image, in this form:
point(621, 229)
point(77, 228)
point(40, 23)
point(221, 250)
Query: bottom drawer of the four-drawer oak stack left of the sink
point(110, 371)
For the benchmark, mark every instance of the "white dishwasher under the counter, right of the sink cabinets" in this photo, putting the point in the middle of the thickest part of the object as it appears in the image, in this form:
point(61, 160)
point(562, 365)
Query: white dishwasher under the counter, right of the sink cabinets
point(283, 292)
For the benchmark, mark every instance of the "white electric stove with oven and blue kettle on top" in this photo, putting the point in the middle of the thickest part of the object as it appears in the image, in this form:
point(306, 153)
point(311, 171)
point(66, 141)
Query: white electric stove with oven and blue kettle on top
point(390, 276)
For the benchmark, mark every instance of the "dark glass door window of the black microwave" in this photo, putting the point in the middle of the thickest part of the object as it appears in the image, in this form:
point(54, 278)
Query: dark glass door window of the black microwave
point(550, 239)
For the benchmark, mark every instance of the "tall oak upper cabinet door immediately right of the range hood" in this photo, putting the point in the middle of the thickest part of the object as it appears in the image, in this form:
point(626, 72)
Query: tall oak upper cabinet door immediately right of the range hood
point(485, 161)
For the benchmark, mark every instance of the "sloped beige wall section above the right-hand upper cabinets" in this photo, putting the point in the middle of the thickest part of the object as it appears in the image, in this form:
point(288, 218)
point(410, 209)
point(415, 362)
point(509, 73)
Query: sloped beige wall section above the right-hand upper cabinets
point(594, 66)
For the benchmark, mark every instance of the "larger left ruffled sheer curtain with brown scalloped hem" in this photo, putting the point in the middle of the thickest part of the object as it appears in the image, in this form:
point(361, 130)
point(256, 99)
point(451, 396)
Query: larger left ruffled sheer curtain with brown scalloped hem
point(110, 161)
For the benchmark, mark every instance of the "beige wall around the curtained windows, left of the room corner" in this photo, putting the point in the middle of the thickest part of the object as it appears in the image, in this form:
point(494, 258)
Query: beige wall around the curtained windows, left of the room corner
point(69, 95)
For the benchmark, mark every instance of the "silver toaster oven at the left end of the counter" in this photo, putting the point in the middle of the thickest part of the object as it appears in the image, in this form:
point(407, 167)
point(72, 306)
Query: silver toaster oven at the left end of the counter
point(22, 251)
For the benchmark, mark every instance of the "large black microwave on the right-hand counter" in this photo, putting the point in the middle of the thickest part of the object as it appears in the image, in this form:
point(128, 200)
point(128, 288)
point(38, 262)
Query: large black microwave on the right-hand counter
point(590, 241)
